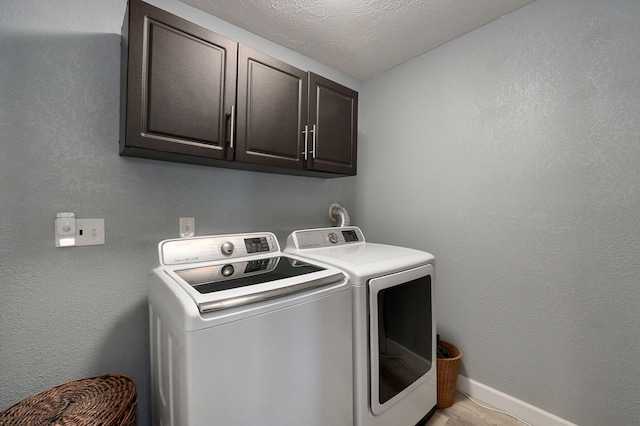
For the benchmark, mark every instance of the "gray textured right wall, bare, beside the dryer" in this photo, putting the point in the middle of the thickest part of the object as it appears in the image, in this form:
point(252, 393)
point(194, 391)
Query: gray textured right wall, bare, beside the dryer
point(512, 153)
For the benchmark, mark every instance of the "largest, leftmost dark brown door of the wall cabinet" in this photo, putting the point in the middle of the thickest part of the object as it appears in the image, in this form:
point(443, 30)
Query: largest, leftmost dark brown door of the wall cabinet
point(180, 86)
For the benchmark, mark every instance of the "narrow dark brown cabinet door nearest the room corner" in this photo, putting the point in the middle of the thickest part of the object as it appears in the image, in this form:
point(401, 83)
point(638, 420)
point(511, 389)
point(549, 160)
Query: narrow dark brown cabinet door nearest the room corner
point(333, 119)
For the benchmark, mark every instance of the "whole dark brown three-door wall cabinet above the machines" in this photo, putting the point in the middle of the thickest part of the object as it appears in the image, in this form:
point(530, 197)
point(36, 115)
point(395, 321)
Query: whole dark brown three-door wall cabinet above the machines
point(193, 96)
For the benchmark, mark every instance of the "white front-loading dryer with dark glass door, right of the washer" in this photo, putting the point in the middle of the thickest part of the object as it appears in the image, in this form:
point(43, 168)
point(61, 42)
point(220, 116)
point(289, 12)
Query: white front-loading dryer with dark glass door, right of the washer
point(395, 381)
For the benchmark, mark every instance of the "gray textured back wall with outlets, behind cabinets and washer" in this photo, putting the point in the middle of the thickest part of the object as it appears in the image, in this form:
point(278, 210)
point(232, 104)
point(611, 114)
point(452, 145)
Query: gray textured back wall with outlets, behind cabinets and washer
point(67, 313)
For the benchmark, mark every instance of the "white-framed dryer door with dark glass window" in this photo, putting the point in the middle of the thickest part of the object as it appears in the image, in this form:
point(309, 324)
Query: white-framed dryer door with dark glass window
point(401, 338)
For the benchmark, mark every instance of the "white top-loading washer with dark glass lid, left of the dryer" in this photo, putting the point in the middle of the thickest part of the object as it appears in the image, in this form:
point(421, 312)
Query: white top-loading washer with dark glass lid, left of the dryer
point(243, 335)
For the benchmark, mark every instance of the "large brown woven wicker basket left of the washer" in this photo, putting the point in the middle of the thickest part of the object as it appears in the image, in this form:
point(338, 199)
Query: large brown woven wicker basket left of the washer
point(108, 400)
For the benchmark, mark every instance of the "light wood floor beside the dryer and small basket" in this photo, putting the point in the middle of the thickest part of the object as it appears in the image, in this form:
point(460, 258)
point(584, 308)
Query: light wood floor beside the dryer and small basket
point(464, 412)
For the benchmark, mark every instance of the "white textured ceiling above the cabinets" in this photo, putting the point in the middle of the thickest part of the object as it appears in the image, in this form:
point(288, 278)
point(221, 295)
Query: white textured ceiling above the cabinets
point(361, 38)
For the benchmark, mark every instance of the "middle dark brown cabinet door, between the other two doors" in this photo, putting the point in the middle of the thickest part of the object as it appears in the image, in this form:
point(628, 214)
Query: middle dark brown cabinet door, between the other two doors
point(272, 111)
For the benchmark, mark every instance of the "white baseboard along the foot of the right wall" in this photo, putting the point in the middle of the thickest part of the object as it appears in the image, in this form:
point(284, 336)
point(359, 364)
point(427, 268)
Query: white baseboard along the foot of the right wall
point(509, 404)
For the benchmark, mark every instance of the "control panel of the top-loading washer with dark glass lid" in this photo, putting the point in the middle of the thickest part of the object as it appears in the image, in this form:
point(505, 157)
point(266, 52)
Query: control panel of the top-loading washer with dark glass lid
point(216, 247)
